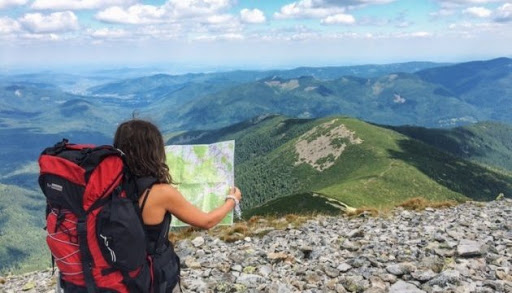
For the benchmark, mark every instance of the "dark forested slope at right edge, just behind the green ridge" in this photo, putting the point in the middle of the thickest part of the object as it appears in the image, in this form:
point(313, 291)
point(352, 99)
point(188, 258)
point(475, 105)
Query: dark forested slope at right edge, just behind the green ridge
point(489, 143)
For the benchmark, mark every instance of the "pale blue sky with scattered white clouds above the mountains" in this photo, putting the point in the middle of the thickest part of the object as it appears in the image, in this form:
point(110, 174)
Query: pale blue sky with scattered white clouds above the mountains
point(250, 34)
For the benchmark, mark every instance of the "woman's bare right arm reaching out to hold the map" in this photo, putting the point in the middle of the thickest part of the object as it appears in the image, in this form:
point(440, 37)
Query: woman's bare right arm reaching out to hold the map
point(176, 204)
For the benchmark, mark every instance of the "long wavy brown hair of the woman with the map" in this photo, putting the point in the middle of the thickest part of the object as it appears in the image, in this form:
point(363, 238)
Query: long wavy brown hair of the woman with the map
point(143, 145)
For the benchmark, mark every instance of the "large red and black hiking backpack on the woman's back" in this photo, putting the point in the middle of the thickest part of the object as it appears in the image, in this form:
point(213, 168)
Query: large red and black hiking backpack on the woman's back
point(95, 229)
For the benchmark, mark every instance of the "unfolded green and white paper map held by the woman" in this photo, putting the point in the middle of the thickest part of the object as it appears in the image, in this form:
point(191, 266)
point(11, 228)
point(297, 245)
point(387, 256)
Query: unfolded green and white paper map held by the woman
point(203, 174)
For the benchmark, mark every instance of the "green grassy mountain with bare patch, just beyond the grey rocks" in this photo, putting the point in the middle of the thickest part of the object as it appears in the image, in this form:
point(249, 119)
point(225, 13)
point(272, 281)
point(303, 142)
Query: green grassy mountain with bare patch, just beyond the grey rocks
point(377, 167)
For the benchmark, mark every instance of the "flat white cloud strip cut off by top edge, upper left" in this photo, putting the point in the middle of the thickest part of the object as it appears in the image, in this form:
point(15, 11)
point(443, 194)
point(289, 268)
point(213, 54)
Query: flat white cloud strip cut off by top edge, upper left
point(77, 4)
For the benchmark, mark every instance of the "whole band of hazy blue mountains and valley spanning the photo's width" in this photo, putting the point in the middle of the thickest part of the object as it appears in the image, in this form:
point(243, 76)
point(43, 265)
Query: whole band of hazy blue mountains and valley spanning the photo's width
point(439, 96)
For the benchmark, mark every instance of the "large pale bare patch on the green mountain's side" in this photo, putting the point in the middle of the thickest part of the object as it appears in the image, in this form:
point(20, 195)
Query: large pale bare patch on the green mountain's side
point(321, 146)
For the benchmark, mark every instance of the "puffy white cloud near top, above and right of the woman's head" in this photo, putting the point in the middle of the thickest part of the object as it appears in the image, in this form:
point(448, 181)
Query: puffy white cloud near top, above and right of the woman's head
point(136, 14)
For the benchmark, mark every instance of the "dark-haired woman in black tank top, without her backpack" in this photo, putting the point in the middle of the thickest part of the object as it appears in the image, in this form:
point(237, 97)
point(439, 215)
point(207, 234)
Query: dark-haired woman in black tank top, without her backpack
point(143, 145)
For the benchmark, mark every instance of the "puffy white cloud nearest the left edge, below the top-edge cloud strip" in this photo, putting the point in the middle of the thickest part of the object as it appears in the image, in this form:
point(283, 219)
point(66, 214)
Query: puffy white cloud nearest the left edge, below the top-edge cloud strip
point(54, 22)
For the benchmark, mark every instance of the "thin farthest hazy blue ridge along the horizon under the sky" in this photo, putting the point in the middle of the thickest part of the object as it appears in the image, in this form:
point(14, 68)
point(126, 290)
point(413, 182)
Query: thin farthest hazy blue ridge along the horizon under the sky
point(162, 86)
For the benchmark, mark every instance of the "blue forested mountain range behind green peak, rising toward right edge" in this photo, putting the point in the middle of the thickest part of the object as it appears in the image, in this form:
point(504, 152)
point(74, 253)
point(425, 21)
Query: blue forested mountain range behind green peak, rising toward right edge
point(396, 99)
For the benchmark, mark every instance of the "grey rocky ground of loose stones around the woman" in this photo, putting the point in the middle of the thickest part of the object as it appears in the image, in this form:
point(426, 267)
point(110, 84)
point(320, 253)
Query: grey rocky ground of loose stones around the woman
point(466, 248)
